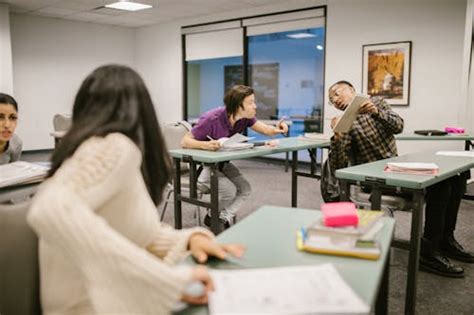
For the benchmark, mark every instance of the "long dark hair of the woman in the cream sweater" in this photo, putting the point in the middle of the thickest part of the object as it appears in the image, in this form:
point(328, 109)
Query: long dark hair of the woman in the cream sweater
point(114, 98)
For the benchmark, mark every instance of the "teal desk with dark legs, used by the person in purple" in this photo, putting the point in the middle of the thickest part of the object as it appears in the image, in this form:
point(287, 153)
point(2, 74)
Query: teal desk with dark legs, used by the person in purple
point(212, 160)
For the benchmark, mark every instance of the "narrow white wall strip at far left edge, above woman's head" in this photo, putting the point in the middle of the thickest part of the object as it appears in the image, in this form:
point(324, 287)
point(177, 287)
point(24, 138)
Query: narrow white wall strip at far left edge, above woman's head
point(6, 71)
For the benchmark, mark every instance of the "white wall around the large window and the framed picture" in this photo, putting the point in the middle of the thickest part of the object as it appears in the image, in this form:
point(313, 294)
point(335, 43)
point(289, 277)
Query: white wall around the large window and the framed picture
point(436, 28)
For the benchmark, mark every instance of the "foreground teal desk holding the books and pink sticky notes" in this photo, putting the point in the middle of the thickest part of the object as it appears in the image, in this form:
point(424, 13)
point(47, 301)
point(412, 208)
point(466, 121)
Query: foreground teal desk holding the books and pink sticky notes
point(277, 248)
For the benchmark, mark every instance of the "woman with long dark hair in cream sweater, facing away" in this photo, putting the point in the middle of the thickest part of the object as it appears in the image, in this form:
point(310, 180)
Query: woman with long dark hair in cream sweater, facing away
point(102, 249)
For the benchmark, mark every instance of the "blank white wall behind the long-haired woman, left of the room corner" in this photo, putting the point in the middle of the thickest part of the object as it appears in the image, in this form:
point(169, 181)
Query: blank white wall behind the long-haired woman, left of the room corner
point(51, 57)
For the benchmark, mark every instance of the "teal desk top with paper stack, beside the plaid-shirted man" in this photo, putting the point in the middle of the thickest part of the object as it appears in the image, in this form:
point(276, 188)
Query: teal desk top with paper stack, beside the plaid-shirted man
point(448, 166)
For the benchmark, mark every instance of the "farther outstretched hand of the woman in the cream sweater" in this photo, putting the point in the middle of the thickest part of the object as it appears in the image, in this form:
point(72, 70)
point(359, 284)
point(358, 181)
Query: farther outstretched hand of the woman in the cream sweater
point(202, 247)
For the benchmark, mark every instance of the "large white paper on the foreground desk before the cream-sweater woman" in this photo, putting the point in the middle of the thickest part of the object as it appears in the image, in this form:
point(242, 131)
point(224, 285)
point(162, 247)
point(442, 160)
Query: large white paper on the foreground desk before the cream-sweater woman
point(283, 290)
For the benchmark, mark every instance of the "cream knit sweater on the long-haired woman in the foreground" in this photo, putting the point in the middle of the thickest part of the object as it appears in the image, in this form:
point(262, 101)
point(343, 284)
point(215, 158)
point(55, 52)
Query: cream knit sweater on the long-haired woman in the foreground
point(102, 249)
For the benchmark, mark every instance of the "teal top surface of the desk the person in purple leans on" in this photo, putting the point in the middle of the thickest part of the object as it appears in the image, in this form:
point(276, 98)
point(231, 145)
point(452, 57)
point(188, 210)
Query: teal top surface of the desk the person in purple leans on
point(285, 145)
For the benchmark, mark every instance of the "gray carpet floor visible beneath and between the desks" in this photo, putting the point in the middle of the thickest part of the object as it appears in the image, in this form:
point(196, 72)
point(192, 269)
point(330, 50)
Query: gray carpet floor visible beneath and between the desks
point(436, 295)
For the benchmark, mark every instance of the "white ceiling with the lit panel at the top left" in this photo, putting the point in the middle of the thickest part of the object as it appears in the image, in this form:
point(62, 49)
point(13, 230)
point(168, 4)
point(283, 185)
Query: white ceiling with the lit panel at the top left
point(163, 10)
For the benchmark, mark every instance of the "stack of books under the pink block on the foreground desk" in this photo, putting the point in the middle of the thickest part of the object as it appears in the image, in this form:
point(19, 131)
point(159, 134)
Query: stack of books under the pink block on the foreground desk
point(358, 240)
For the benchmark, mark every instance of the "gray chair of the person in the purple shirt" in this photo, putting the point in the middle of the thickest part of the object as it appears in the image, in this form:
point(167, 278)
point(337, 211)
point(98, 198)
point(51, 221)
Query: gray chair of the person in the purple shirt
point(173, 134)
